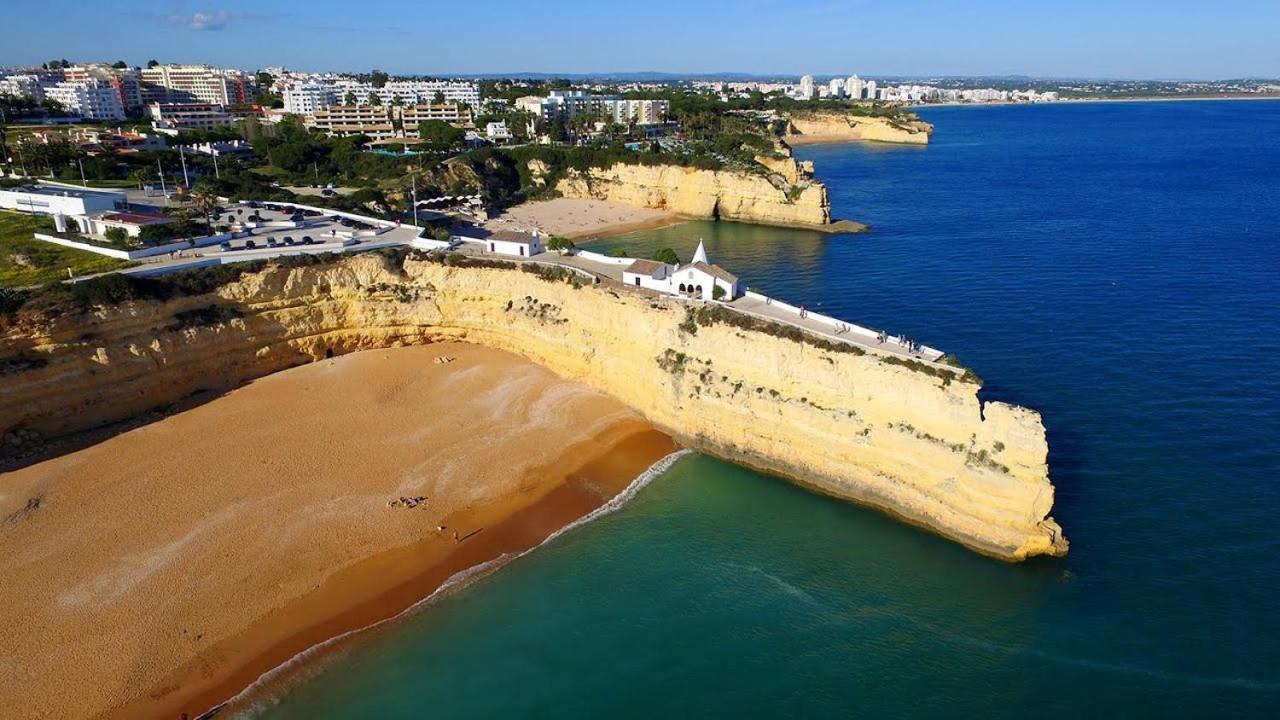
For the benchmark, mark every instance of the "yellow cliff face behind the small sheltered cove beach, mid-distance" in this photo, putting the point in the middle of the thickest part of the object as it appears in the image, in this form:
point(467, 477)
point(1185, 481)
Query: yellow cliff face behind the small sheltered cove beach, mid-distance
point(755, 198)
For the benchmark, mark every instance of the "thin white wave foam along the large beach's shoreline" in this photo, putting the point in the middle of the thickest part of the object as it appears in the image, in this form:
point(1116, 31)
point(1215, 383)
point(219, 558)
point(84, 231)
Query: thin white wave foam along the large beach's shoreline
point(257, 707)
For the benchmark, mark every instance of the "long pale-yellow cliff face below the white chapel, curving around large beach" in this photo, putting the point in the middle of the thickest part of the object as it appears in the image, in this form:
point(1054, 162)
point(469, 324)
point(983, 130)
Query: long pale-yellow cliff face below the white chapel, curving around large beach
point(916, 444)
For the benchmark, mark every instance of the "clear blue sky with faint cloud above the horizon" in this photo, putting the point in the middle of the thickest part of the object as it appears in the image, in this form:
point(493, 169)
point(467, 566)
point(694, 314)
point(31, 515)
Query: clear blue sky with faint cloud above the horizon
point(1059, 39)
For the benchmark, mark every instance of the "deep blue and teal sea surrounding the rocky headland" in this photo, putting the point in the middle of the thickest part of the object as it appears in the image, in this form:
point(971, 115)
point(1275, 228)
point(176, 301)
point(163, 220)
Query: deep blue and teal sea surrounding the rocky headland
point(1116, 267)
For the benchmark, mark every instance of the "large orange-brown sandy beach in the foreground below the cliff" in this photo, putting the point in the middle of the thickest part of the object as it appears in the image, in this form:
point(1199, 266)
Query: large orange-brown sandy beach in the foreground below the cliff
point(166, 569)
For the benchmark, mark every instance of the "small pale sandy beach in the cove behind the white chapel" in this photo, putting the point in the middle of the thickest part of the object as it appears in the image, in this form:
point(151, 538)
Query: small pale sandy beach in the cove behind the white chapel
point(580, 218)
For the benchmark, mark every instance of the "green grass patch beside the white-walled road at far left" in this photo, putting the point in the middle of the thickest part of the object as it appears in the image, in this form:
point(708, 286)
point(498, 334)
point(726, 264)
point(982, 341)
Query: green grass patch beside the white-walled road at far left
point(26, 261)
